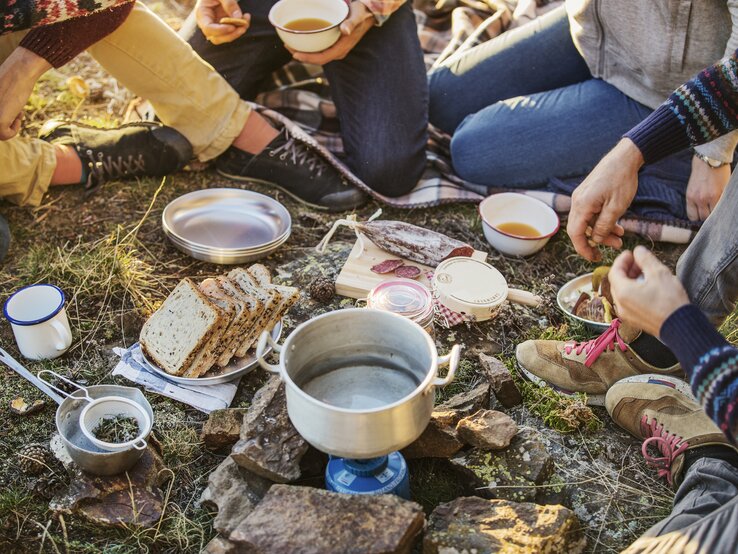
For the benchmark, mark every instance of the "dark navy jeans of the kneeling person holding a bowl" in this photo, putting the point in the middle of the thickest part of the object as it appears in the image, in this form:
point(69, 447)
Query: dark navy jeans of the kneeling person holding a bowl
point(380, 90)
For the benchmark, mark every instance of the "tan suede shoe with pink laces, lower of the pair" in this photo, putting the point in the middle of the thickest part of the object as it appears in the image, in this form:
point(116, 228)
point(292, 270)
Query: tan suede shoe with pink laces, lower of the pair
point(663, 413)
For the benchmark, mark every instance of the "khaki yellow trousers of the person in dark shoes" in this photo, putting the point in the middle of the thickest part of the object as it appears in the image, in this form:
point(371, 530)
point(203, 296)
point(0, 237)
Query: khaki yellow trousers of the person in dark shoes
point(151, 61)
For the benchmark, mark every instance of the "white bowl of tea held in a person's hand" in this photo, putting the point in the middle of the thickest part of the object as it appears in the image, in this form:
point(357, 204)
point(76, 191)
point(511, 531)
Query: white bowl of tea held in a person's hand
point(285, 11)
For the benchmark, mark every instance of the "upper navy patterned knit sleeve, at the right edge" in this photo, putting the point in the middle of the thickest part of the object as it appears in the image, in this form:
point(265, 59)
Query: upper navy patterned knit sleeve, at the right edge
point(699, 111)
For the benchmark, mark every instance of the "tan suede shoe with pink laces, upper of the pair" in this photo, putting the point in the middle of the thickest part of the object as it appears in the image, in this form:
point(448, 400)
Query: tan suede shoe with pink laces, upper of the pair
point(590, 367)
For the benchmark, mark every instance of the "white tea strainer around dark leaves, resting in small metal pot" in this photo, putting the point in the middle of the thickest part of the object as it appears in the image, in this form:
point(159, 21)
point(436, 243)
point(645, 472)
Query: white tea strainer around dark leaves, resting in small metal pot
point(111, 406)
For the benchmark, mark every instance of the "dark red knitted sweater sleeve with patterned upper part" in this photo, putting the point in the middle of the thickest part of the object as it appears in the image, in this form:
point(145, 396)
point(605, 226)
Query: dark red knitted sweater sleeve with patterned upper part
point(61, 29)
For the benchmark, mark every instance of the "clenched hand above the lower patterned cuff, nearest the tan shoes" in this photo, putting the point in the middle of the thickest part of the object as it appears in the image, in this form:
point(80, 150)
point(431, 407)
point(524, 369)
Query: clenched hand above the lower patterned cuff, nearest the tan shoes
point(646, 293)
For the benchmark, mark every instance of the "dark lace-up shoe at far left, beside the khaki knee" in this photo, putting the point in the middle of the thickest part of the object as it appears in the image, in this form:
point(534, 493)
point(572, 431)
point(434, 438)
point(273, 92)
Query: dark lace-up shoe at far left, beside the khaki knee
point(142, 149)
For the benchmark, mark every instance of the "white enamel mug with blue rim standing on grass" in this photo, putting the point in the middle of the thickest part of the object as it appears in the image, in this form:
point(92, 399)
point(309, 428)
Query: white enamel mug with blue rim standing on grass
point(39, 321)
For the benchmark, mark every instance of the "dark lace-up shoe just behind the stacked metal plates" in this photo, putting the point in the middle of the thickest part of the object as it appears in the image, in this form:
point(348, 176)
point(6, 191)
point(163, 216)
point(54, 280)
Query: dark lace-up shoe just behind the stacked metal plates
point(296, 169)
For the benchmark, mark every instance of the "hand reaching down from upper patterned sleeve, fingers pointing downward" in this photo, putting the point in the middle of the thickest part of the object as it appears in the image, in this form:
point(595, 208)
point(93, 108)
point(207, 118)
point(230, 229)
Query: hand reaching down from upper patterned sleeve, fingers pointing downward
point(602, 198)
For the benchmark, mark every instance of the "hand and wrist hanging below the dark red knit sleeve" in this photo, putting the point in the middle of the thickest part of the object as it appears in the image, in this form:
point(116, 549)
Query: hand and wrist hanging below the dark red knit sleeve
point(18, 74)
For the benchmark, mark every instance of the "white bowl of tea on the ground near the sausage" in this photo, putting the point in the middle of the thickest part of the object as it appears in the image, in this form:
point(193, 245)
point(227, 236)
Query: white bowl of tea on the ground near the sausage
point(511, 207)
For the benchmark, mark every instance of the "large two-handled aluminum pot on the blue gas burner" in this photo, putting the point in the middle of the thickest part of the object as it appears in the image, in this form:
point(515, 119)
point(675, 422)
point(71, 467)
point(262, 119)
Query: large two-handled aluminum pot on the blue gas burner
point(369, 357)
